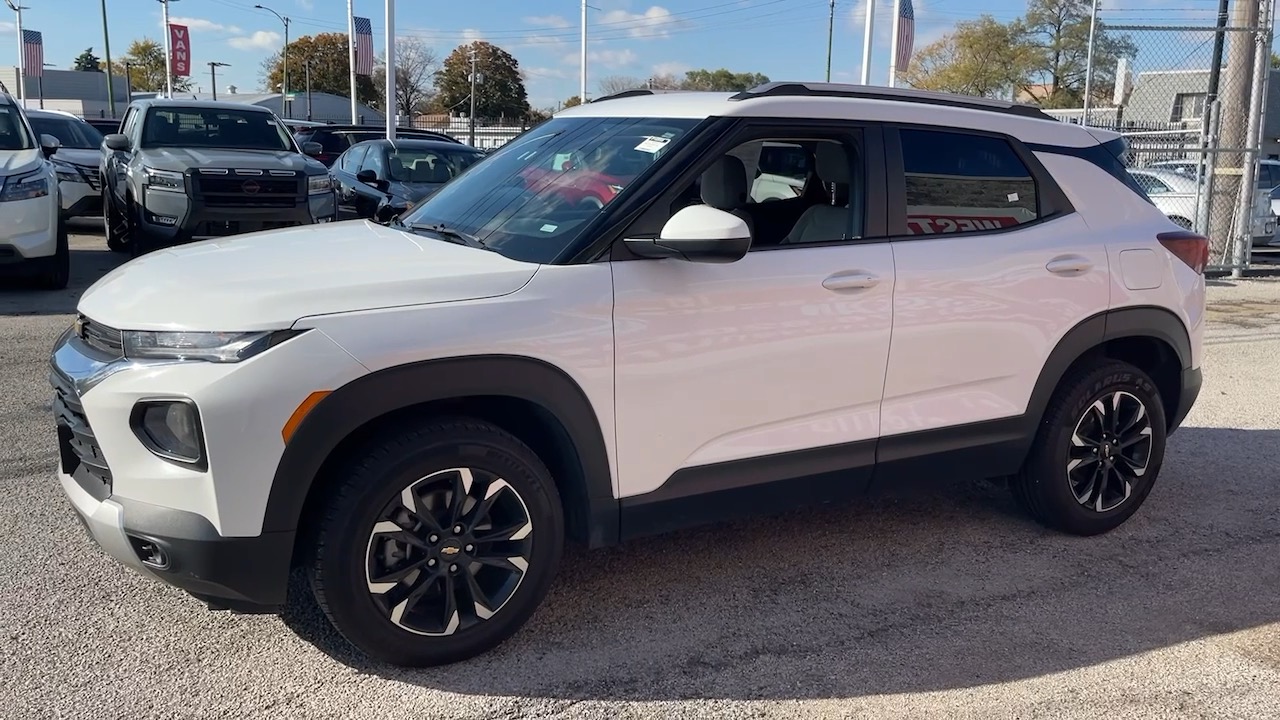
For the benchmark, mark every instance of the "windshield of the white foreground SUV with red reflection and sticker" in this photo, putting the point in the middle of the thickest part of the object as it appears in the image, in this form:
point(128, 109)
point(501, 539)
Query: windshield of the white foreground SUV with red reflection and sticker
point(532, 199)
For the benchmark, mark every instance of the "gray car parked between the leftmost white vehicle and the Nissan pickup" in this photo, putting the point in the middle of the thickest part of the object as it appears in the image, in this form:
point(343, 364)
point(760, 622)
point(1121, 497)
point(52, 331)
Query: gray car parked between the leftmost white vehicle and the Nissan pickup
point(77, 160)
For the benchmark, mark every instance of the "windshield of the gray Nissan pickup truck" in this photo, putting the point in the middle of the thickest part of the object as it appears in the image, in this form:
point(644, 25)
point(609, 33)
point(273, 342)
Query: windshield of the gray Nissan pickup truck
point(199, 127)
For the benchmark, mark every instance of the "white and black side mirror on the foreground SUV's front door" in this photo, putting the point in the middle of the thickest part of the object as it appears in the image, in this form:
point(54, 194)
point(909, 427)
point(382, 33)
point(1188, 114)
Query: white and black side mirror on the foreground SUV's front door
point(698, 234)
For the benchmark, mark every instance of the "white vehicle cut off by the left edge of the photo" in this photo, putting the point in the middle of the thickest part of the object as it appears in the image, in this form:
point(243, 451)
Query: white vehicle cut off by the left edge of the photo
point(34, 243)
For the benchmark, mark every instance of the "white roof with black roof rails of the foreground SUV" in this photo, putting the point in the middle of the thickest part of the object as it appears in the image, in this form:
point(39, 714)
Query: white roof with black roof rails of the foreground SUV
point(849, 102)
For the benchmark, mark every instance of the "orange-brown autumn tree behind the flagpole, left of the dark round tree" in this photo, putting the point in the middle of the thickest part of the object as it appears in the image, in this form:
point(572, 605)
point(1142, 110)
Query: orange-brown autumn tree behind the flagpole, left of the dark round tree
point(331, 69)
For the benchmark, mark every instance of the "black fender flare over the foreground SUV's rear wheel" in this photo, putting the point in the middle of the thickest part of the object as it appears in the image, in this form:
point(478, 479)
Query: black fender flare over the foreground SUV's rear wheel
point(1091, 334)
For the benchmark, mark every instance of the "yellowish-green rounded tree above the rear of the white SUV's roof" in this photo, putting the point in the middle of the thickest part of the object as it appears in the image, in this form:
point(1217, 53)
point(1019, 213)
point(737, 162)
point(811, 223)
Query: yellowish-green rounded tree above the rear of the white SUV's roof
point(984, 58)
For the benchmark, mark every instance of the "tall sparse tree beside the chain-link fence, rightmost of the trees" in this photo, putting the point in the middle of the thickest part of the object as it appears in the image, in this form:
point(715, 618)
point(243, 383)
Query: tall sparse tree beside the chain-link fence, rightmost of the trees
point(1059, 33)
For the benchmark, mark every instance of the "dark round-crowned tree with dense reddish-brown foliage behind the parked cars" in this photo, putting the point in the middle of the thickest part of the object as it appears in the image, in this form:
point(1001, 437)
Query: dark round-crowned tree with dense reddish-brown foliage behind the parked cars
point(500, 88)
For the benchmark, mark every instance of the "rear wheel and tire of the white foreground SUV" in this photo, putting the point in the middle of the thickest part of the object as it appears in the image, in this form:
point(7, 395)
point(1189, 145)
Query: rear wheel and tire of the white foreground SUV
point(1057, 485)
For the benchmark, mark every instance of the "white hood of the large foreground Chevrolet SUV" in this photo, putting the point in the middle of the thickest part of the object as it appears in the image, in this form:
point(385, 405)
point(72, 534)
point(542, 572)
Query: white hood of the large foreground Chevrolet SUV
point(271, 280)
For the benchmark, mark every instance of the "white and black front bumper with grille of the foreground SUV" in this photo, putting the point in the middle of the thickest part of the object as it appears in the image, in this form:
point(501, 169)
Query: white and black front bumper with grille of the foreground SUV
point(195, 528)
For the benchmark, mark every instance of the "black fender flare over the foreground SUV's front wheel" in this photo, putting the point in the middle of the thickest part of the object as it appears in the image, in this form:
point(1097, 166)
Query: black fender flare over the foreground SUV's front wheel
point(372, 397)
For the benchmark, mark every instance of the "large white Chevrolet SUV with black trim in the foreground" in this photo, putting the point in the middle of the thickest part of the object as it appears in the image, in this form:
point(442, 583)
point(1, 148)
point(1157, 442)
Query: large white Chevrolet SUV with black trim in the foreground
point(422, 416)
